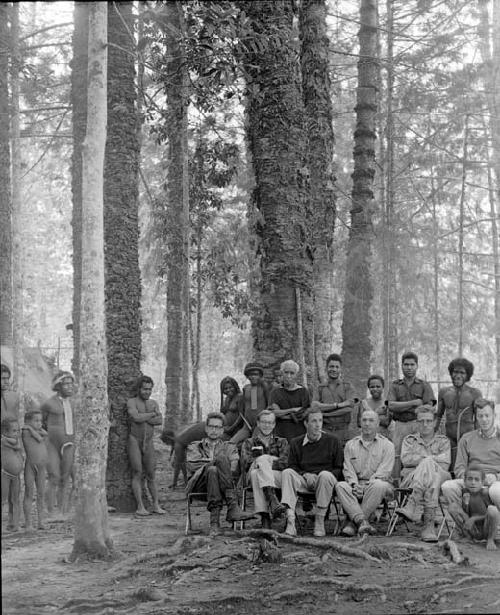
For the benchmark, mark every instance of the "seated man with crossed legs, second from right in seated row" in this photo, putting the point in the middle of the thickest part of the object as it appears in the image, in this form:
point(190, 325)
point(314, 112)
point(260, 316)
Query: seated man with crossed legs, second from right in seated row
point(425, 457)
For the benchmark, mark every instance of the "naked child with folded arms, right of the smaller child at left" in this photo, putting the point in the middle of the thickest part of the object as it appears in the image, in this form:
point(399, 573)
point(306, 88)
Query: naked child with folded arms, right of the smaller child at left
point(35, 471)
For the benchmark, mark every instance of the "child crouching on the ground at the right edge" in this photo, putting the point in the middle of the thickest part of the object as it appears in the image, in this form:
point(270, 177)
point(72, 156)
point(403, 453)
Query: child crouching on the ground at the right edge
point(477, 516)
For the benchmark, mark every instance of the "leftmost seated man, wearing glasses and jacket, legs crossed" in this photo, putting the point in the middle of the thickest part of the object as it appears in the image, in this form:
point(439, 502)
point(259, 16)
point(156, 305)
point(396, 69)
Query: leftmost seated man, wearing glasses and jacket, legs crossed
point(212, 464)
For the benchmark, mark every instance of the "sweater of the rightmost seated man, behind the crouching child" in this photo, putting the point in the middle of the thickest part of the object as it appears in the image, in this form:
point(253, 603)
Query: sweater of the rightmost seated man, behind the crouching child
point(475, 448)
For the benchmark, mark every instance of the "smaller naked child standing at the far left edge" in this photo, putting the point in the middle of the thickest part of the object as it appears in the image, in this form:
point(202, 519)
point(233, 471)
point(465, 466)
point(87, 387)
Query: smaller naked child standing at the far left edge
point(12, 466)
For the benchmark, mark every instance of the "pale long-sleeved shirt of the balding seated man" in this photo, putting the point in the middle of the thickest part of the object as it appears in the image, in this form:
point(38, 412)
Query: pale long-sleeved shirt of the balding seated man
point(365, 460)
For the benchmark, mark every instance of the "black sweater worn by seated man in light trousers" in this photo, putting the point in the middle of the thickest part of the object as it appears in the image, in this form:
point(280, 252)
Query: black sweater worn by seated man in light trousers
point(311, 457)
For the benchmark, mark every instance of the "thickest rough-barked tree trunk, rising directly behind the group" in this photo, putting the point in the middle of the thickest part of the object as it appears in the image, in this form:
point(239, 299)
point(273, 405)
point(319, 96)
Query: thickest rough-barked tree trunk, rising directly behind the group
point(277, 141)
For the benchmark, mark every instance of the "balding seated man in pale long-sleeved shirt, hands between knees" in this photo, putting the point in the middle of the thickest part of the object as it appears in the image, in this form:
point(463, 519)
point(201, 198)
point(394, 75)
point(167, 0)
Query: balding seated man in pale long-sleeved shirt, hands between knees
point(368, 463)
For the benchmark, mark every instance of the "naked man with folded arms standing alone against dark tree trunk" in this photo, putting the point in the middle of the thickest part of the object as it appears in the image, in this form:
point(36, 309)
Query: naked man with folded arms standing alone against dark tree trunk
point(143, 414)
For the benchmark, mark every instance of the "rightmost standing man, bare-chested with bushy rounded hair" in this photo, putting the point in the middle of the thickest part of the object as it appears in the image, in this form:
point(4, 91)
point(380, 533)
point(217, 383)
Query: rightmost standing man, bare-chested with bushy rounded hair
point(457, 401)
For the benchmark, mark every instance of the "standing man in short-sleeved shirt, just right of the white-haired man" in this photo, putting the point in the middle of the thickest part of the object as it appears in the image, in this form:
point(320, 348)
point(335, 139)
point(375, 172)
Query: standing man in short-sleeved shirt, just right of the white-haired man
point(335, 399)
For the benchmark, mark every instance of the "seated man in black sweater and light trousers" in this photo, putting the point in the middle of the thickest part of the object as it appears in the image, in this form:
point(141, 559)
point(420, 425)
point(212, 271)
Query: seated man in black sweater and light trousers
point(315, 464)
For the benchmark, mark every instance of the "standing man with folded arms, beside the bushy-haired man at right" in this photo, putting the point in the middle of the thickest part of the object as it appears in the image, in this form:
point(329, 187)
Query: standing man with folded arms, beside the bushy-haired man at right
point(406, 394)
